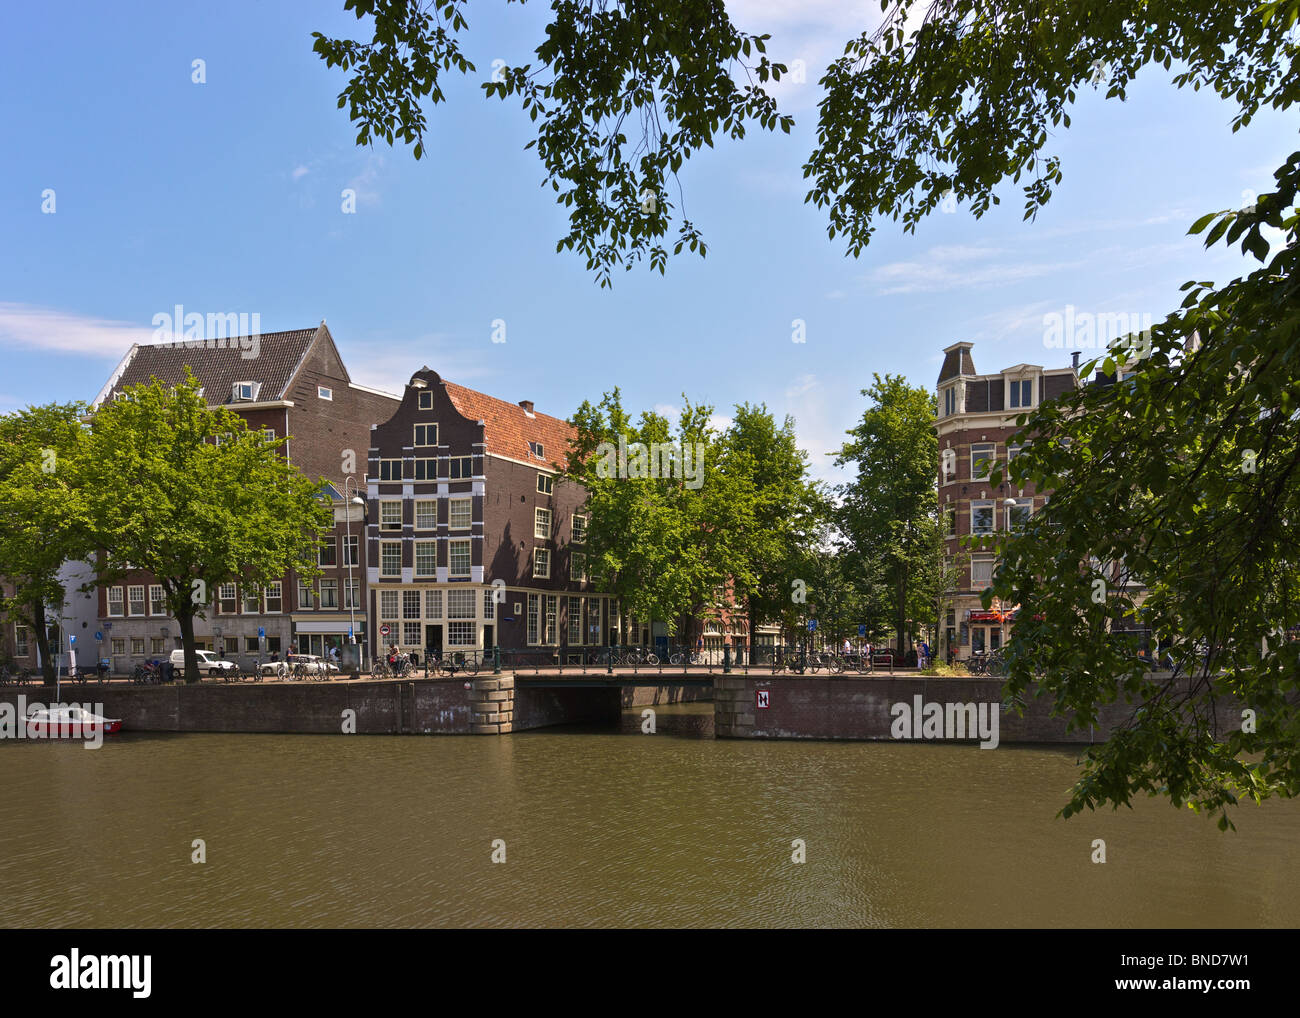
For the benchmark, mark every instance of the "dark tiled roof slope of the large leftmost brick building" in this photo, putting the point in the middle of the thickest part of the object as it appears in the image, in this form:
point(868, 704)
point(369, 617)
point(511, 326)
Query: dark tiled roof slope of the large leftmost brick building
point(219, 367)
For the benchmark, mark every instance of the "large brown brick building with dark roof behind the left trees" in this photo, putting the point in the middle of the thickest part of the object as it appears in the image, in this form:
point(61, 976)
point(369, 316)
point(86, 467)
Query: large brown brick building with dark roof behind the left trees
point(297, 387)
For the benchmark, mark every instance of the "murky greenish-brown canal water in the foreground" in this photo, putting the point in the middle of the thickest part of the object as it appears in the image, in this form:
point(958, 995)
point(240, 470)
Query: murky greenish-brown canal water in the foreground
point(608, 828)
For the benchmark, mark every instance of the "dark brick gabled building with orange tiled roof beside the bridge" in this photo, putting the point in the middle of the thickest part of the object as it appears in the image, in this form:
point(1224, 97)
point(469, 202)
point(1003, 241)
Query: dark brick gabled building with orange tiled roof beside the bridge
point(471, 540)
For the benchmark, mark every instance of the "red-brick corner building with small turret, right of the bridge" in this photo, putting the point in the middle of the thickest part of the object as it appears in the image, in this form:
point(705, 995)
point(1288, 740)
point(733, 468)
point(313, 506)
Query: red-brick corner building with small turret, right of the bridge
point(976, 424)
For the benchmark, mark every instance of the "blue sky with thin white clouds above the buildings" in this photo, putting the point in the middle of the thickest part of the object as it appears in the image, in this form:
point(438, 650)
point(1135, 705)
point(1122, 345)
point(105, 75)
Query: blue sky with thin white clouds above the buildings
point(226, 197)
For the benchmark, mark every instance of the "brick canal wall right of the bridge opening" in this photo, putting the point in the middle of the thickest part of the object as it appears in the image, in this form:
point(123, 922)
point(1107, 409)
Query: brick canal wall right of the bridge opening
point(861, 709)
